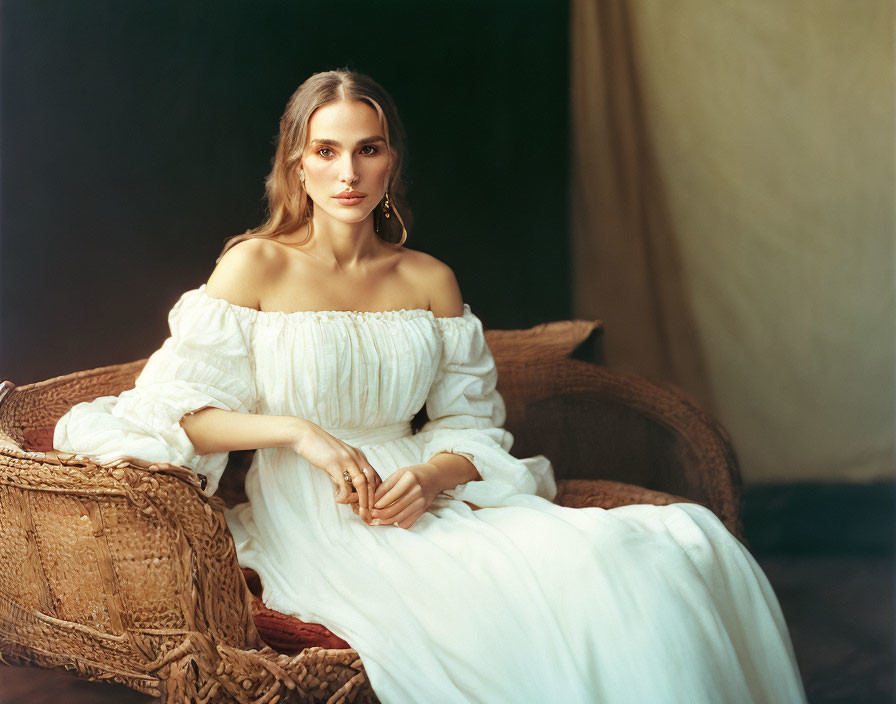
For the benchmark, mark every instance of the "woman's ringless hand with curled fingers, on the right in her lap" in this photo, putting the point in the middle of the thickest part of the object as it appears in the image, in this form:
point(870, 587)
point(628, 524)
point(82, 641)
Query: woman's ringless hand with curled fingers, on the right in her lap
point(406, 495)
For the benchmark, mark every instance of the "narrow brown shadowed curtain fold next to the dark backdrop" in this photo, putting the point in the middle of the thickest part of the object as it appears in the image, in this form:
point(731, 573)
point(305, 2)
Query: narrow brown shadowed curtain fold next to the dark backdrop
point(626, 268)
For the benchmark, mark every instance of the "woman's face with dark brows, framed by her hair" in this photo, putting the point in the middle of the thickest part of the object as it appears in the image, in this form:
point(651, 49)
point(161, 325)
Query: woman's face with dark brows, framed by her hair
point(346, 153)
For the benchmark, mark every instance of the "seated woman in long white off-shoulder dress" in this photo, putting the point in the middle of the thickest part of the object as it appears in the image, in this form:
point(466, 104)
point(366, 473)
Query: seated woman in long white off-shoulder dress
point(442, 559)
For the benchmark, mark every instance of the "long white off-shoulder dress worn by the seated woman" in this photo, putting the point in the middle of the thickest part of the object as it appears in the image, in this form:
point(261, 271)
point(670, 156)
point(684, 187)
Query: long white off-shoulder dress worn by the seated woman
point(519, 601)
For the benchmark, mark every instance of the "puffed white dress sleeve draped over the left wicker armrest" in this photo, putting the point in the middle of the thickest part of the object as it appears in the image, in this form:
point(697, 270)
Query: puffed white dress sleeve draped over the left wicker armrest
point(206, 362)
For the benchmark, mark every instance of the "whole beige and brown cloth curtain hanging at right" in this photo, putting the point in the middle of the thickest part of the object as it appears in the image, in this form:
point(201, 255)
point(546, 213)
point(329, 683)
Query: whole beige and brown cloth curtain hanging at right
point(733, 216)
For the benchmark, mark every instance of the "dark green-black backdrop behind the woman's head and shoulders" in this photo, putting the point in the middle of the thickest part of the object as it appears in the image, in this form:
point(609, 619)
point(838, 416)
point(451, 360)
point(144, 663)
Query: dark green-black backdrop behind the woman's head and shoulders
point(136, 137)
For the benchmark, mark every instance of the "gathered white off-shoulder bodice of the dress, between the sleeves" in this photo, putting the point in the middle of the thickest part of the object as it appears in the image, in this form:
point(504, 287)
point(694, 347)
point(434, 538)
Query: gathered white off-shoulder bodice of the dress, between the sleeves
point(340, 369)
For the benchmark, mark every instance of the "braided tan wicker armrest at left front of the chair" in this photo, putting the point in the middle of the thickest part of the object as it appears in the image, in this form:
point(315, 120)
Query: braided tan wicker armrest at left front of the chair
point(130, 575)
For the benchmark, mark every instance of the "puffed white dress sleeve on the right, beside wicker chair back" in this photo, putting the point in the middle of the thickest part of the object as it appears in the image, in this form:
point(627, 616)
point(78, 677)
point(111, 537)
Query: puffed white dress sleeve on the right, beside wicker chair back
point(467, 413)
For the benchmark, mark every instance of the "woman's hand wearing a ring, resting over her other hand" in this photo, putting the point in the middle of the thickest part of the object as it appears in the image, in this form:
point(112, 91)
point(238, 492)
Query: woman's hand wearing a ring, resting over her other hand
point(334, 456)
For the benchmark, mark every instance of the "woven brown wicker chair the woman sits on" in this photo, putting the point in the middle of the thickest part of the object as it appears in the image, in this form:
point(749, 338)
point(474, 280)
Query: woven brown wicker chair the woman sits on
point(130, 575)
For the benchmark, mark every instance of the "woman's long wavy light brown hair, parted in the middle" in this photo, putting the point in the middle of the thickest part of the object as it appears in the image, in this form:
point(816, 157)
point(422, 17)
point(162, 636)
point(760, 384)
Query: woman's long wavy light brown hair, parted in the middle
point(288, 204)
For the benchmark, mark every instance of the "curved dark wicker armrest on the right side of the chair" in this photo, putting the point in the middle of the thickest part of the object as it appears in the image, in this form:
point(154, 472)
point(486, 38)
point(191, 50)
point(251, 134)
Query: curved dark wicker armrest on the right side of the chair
point(624, 427)
